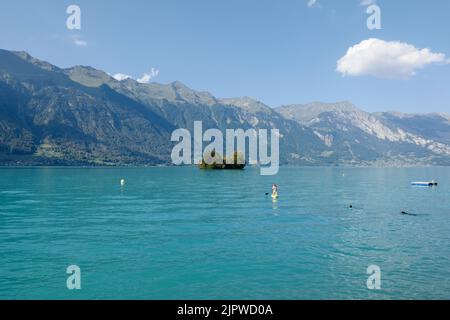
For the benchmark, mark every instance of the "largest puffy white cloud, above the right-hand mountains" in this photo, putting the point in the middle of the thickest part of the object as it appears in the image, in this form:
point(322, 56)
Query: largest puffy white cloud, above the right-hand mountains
point(386, 59)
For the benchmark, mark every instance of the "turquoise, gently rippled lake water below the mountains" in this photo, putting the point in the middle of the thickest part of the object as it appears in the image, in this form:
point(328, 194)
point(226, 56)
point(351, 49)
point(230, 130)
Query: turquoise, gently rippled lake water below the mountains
point(182, 233)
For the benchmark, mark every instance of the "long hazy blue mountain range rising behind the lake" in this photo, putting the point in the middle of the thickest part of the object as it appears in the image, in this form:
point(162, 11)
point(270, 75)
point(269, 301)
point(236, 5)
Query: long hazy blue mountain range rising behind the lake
point(83, 116)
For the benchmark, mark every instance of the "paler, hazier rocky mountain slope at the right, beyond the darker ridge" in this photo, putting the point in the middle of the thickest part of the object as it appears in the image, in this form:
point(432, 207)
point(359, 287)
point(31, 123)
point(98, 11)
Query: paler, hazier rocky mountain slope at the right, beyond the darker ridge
point(354, 136)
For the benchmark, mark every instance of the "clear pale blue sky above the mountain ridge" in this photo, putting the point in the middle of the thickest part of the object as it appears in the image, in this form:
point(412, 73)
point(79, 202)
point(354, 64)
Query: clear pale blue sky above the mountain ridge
point(279, 52)
